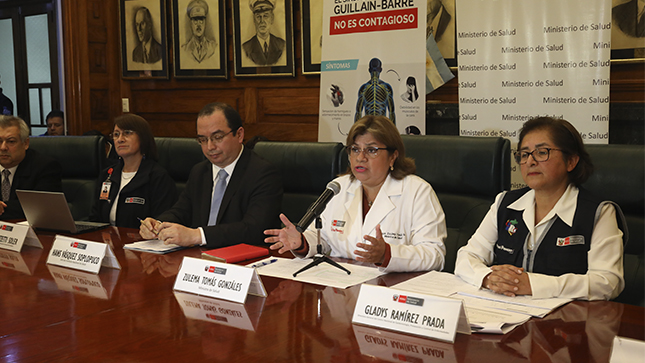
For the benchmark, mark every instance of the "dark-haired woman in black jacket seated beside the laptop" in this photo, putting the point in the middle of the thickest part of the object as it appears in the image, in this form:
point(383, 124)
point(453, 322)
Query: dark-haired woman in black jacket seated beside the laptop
point(135, 187)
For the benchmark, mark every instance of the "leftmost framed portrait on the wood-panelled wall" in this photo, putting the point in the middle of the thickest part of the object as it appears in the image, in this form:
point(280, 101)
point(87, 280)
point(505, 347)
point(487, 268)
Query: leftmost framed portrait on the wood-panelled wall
point(144, 47)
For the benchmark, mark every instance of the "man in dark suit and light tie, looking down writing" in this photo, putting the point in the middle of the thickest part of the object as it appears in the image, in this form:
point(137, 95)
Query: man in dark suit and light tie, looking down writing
point(230, 198)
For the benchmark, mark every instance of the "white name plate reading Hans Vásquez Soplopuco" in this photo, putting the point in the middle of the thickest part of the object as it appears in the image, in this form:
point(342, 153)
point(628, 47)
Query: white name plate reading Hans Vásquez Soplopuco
point(82, 255)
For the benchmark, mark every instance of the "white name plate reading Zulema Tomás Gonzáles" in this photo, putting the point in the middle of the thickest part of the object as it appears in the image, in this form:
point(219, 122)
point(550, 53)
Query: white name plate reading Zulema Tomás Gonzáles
point(219, 280)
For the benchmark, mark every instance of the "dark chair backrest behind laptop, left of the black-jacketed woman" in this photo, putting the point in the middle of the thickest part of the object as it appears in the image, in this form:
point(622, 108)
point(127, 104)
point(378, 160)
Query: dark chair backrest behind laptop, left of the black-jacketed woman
point(82, 158)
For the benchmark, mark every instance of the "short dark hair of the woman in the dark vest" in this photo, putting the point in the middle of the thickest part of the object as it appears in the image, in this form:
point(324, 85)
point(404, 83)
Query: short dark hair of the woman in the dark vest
point(567, 139)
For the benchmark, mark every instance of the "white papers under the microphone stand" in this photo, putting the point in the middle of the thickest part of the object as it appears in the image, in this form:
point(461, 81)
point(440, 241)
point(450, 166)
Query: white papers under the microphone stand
point(322, 274)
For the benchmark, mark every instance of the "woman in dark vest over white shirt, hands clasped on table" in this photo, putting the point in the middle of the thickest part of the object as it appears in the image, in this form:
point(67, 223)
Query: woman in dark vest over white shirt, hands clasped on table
point(552, 238)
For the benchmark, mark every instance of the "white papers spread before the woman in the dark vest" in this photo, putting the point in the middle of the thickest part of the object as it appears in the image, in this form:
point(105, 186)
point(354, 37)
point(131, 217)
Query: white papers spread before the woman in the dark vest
point(487, 311)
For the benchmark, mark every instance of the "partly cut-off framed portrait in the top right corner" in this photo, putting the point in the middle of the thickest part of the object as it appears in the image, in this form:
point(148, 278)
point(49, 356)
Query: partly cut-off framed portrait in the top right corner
point(627, 32)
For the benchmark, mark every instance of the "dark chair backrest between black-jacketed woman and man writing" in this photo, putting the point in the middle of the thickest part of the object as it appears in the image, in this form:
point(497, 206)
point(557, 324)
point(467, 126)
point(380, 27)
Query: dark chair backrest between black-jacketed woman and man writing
point(178, 155)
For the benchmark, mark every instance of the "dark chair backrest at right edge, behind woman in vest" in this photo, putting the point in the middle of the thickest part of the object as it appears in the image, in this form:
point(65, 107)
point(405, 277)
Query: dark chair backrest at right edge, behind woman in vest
point(619, 176)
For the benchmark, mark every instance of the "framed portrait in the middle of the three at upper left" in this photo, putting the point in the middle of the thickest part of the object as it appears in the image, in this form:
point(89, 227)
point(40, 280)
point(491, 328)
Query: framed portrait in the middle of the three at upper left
point(199, 38)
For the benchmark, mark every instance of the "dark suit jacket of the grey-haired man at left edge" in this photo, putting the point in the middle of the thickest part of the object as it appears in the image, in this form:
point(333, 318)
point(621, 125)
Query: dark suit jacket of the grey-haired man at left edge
point(35, 172)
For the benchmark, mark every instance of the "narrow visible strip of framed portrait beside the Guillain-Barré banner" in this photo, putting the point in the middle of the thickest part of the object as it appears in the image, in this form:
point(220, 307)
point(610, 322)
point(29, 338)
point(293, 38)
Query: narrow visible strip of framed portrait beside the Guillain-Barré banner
point(311, 24)
